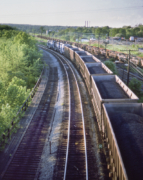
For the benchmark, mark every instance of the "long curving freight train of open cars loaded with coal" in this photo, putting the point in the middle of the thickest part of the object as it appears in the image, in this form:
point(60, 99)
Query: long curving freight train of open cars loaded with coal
point(119, 116)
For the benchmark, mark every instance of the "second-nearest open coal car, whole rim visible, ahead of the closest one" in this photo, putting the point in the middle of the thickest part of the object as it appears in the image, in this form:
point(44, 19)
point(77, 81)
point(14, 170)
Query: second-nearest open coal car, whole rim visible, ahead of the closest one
point(109, 89)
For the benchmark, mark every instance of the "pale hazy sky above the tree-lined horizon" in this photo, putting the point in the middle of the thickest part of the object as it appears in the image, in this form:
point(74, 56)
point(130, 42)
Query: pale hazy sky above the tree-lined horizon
point(113, 13)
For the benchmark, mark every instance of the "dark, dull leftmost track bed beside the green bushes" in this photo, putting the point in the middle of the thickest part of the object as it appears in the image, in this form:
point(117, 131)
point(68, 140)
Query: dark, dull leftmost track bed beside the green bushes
point(26, 158)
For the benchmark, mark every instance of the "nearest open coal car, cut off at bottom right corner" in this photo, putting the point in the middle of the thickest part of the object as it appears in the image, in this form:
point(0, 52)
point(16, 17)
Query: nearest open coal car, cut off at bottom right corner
point(124, 135)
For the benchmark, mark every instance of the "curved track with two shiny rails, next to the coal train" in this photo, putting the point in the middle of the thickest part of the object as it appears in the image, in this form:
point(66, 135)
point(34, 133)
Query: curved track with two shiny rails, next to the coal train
point(75, 164)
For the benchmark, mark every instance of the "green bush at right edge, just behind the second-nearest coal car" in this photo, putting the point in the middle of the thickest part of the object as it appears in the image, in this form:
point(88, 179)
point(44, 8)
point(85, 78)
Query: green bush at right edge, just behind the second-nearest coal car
point(135, 86)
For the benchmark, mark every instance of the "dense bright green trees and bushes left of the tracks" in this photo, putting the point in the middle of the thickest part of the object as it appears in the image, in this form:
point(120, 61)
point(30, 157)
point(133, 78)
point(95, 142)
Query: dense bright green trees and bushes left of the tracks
point(20, 67)
